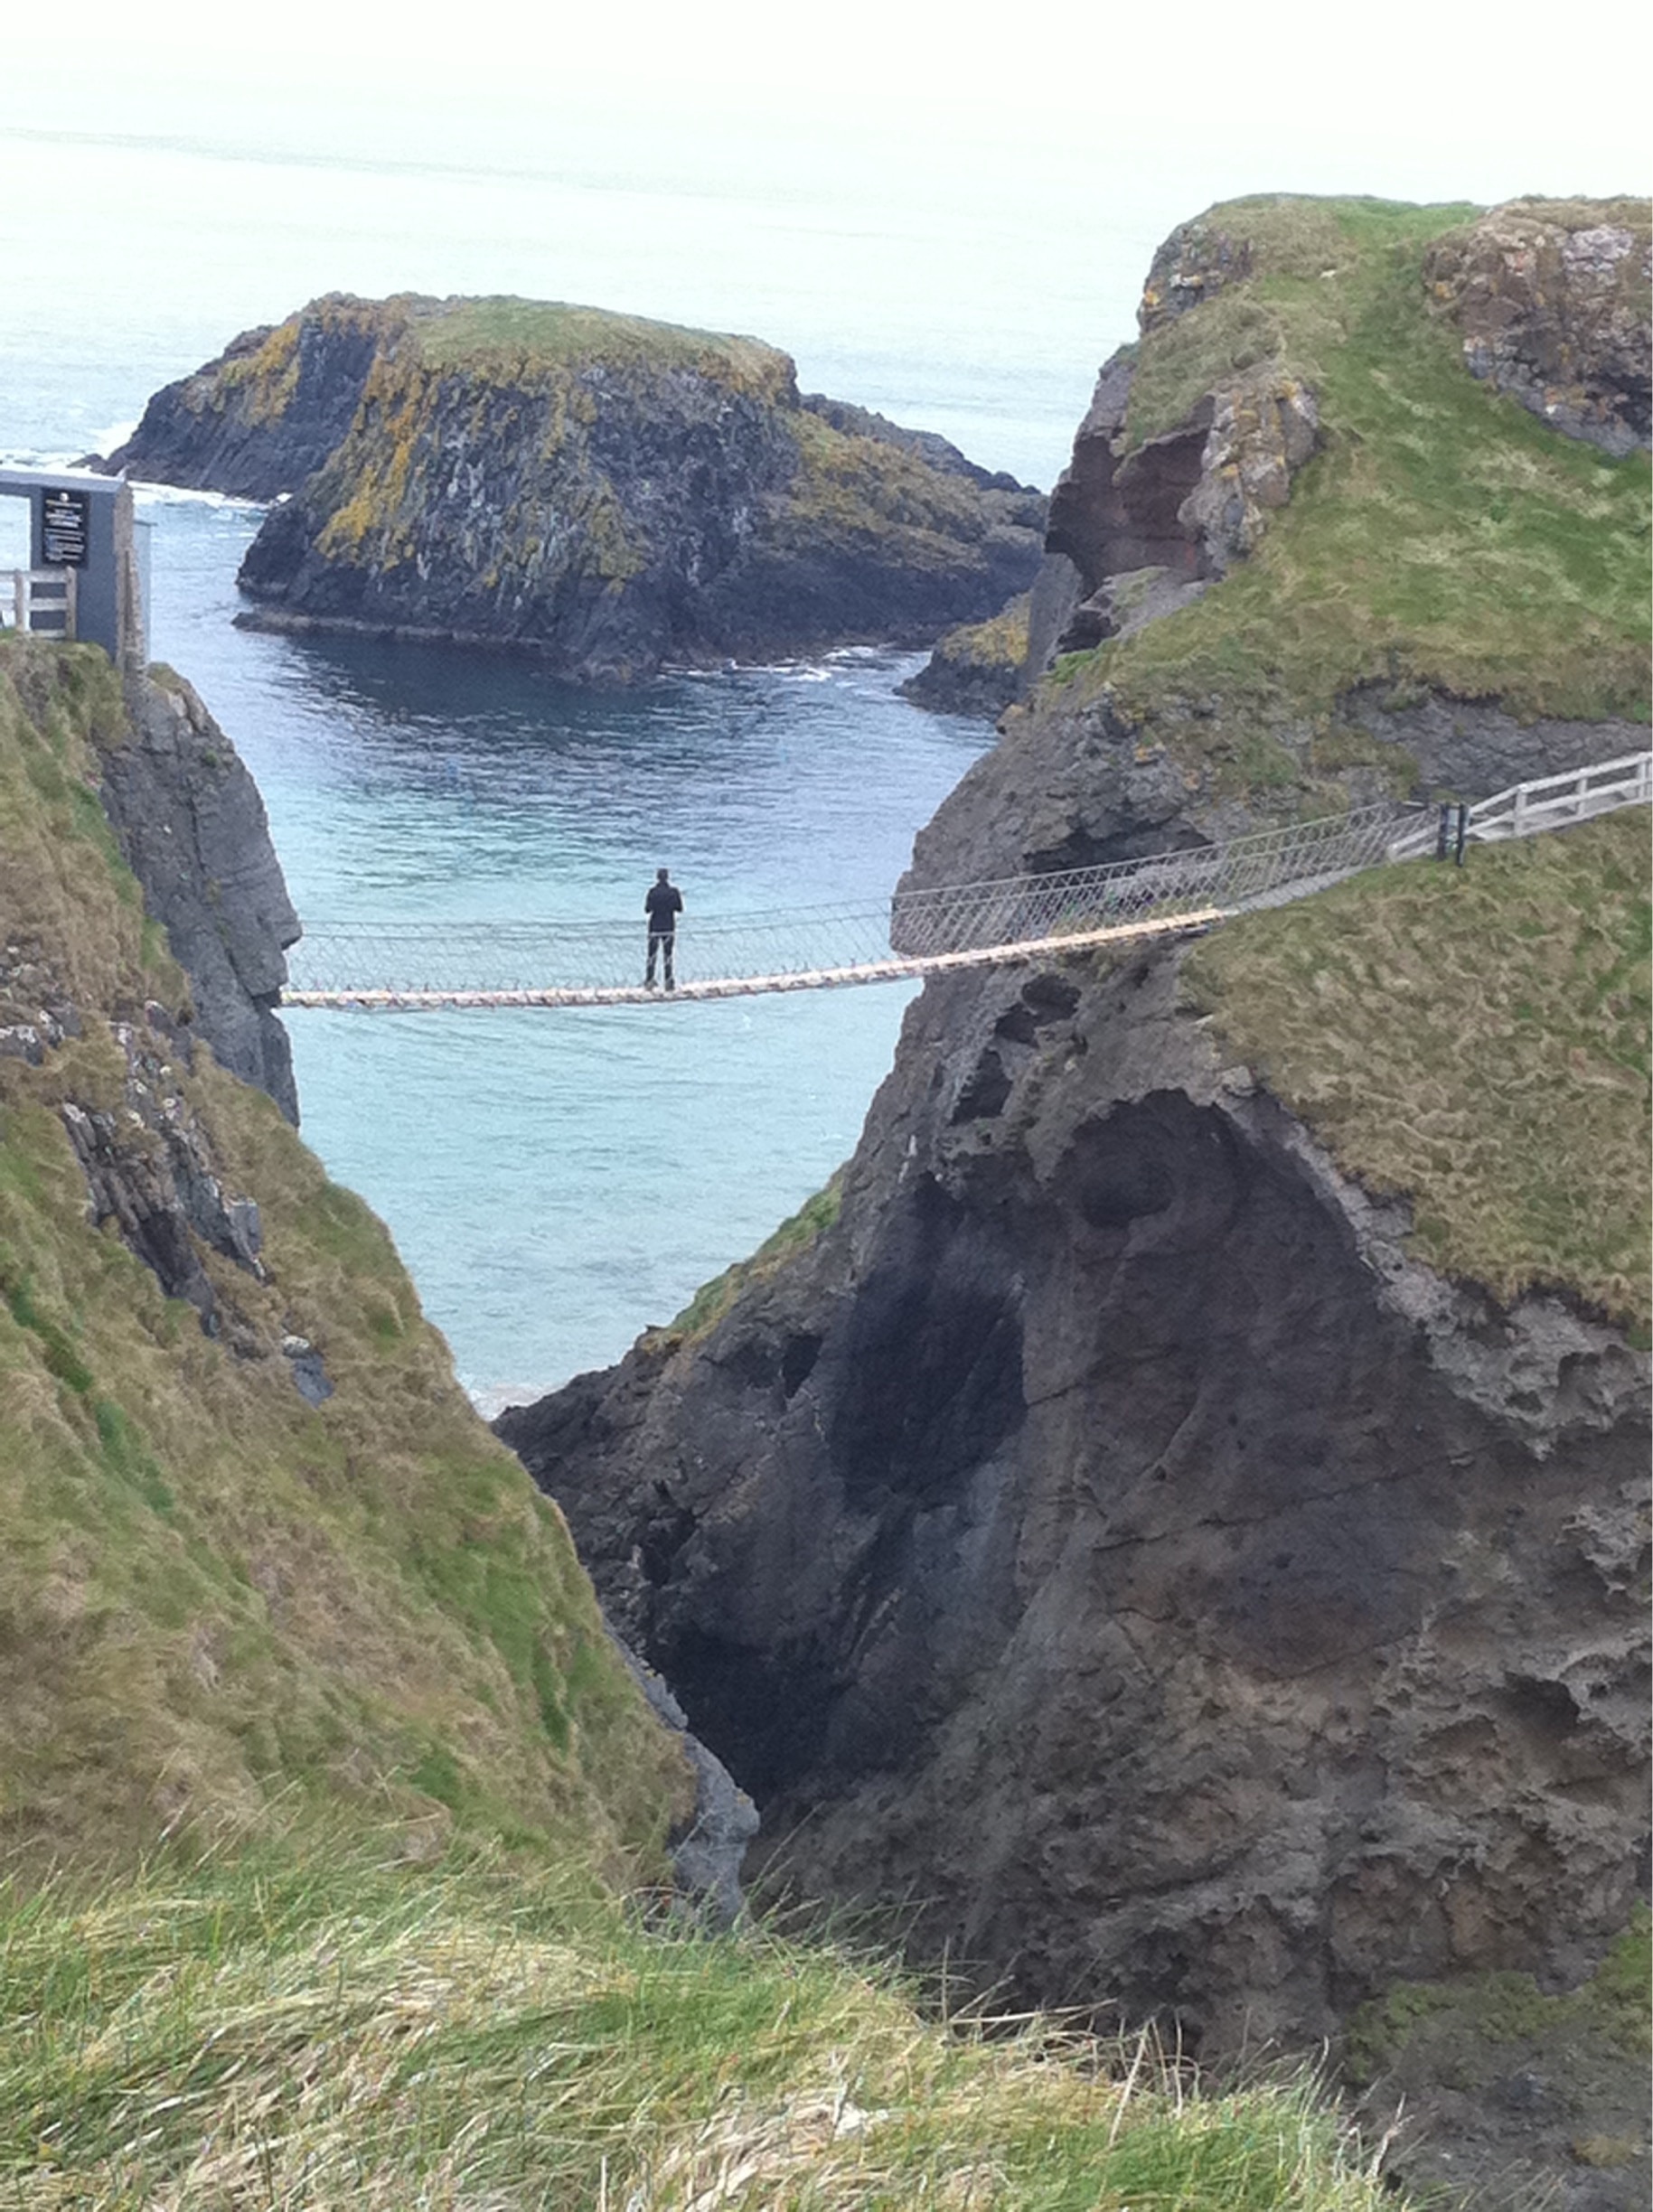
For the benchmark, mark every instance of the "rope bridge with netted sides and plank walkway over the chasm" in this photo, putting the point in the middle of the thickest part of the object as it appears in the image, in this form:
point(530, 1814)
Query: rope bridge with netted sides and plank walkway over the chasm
point(419, 966)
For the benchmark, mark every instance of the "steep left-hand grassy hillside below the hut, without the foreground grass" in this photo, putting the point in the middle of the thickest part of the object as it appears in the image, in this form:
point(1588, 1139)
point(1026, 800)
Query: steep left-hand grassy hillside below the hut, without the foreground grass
point(216, 1596)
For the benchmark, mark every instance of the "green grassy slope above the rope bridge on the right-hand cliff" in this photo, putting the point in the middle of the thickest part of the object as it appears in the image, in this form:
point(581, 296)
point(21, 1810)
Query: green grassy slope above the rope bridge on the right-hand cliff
point(1444, 539)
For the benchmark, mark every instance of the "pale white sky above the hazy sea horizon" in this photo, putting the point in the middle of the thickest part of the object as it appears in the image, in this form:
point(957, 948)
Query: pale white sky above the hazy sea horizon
point(1413, 98)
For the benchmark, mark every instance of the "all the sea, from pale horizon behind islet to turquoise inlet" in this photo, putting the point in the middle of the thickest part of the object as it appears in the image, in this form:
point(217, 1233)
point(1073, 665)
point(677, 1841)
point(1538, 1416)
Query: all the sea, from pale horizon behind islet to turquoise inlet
point(557, 1182)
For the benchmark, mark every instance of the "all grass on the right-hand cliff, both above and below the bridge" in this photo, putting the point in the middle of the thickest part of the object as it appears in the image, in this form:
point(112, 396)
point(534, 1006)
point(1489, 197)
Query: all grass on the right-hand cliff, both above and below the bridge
point(1477, 1041)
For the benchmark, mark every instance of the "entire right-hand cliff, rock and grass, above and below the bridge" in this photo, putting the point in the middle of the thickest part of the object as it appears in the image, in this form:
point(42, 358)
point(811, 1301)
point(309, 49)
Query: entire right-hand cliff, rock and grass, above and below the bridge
point(1178, 1534)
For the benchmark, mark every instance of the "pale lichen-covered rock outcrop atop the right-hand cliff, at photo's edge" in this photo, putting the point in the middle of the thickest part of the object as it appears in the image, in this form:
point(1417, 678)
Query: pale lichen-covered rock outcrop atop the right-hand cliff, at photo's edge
point(1555, 309)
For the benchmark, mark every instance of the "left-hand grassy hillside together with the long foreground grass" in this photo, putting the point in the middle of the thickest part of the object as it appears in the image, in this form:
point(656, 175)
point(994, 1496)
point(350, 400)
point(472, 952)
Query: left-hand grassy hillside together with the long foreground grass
point(218, 1600)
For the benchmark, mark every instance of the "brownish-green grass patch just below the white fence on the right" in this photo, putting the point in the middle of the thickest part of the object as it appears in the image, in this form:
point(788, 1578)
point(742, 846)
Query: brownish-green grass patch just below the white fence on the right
point(1479, 1041)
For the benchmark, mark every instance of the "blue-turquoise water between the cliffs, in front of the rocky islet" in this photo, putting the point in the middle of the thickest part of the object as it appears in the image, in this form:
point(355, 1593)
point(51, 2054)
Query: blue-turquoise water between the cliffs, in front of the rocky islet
point(561, 1180)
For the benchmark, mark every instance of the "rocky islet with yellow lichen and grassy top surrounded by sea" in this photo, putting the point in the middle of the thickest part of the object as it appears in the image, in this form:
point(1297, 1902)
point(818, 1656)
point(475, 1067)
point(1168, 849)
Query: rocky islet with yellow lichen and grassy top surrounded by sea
point(599, 490)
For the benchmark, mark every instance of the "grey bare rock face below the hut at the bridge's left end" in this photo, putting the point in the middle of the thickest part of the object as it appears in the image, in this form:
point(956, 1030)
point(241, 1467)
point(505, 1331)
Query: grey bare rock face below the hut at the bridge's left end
point(196, 835)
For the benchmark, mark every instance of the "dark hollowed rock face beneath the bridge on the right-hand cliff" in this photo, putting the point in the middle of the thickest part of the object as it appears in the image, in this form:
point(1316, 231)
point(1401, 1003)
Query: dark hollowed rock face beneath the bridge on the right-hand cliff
point(1110, 1538)
